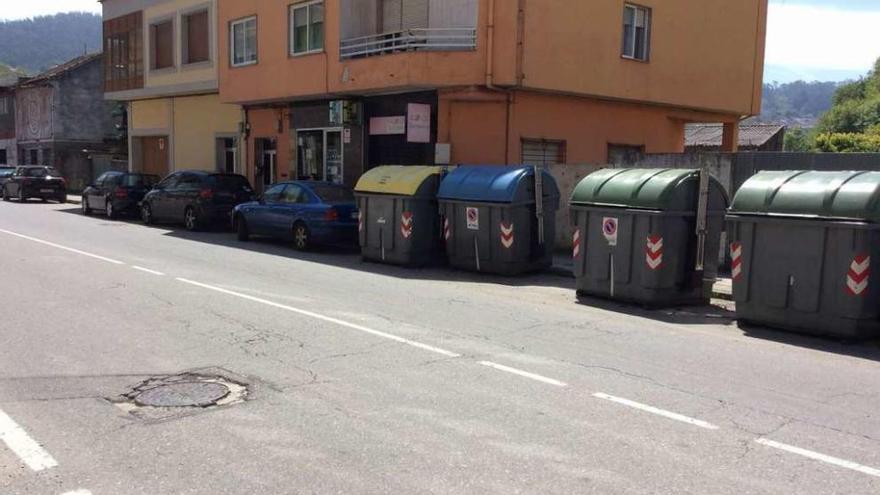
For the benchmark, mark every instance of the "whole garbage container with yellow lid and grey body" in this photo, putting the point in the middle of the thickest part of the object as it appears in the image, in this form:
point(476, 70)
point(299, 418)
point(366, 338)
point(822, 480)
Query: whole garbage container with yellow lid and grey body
point(399, 223)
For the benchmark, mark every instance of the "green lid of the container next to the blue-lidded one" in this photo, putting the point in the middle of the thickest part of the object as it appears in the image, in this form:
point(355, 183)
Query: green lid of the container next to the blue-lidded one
point(650, 189)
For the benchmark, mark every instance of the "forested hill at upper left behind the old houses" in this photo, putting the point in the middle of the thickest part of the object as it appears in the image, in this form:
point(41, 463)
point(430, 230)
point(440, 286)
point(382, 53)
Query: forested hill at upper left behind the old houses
point(34, 45)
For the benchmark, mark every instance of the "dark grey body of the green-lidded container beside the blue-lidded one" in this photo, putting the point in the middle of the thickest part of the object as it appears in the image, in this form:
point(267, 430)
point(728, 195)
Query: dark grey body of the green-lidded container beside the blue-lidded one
point(641, 268)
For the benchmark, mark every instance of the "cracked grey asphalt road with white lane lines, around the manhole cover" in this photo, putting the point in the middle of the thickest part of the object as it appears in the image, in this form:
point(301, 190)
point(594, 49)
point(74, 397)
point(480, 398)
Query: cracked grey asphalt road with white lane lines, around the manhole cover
point(364, 378)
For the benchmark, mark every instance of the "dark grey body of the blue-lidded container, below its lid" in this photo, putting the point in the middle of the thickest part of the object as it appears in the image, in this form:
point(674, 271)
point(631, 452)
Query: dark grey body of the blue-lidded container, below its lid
point(504, 239)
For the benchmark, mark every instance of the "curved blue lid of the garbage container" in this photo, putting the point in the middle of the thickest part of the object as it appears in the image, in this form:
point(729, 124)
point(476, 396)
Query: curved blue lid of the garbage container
point(493, 184)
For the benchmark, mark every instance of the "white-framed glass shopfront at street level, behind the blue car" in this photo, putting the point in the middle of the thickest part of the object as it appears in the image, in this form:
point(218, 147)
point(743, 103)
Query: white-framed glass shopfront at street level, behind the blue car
point(320, 155)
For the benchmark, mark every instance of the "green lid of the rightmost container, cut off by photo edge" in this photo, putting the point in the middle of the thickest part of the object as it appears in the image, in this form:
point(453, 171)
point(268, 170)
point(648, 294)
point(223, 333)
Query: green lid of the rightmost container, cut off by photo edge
point(833, 195)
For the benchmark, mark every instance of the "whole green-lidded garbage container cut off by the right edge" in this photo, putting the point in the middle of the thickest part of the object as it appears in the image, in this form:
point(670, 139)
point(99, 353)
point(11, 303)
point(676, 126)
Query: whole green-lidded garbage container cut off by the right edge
point(802, 244)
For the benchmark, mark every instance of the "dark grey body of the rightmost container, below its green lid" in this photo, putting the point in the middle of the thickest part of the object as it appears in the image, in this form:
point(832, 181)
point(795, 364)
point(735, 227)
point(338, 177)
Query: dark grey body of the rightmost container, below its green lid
point(807, 276)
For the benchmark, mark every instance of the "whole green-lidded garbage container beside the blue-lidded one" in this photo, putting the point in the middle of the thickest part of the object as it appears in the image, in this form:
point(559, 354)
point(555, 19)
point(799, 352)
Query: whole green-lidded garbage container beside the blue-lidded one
point(648, 236)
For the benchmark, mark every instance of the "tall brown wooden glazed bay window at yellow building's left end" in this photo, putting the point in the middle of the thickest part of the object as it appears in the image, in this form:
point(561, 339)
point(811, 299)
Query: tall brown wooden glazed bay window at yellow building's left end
point(123, 53)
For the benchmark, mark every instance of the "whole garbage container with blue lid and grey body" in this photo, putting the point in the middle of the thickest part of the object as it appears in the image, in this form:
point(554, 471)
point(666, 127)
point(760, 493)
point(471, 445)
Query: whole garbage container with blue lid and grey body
point(495, 222)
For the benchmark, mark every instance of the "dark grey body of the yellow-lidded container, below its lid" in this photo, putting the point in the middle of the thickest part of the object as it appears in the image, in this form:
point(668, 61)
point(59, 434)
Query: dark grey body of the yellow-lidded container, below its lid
point(401, 230)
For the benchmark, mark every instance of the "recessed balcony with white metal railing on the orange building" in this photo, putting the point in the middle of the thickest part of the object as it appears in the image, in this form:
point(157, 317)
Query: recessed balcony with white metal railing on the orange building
point(381, 27)
